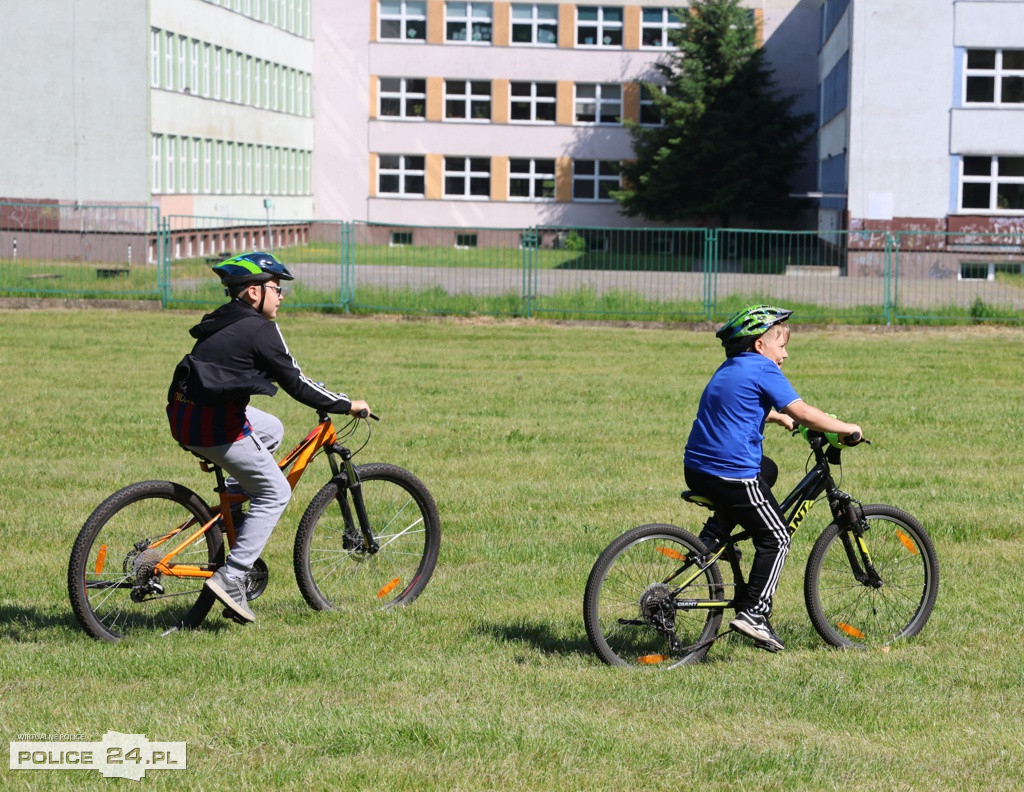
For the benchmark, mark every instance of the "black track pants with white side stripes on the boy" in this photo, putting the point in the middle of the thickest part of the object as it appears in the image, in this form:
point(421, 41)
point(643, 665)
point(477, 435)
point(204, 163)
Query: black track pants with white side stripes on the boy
point(749, 503)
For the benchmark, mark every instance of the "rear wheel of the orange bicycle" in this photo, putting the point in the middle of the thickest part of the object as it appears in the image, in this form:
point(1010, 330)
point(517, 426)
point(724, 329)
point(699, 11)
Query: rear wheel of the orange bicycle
point(110, 559)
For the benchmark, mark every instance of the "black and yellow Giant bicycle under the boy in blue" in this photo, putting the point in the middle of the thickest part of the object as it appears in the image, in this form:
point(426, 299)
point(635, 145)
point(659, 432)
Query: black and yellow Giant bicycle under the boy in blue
point(656, 597)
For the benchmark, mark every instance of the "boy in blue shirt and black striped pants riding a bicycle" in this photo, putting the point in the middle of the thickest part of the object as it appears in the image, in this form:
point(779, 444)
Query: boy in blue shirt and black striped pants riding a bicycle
point(724, 460)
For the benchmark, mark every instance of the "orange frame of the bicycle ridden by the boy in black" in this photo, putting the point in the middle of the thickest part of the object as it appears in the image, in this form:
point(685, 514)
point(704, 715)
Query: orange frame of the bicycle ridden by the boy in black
point(298, 460)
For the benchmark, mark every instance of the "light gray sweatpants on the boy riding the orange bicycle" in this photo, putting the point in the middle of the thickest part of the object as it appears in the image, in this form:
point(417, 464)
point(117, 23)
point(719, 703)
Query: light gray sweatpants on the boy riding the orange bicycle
point(252, 468)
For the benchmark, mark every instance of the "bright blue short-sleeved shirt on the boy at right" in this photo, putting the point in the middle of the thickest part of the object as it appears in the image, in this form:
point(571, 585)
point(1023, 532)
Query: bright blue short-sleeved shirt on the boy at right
point(728, 434)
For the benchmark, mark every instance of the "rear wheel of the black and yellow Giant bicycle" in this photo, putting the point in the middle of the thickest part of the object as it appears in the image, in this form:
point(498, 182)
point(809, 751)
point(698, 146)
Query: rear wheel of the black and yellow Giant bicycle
point(624, 580)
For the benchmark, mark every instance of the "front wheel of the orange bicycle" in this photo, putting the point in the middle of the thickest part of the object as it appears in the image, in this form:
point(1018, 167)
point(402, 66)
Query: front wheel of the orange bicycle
point(332, 566)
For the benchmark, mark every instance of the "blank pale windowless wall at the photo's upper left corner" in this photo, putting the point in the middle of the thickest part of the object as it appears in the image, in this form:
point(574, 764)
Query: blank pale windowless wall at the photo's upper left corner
point(74, 121)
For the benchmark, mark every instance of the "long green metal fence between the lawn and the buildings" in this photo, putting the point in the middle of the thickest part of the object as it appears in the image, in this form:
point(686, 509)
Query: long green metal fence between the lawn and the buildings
point(553, 272)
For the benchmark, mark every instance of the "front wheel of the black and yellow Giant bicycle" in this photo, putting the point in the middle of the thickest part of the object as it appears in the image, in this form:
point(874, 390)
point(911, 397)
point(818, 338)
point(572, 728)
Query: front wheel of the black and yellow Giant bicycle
point(848, 614)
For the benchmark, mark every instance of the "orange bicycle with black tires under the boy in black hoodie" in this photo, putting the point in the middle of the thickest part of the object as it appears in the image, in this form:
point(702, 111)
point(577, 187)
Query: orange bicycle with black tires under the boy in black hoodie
point(370, 537)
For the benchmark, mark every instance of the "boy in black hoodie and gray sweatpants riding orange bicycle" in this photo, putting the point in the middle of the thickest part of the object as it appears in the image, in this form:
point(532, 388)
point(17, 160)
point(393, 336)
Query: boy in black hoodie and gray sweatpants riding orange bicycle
point(240, 352)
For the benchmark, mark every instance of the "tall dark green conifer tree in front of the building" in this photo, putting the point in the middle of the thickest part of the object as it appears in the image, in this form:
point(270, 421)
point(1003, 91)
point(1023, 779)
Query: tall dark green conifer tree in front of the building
point(730, 144)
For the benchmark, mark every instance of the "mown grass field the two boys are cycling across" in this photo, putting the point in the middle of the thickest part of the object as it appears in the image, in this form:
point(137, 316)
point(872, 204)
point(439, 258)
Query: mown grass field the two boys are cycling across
point(541, 443)
